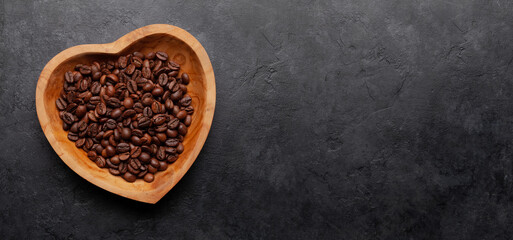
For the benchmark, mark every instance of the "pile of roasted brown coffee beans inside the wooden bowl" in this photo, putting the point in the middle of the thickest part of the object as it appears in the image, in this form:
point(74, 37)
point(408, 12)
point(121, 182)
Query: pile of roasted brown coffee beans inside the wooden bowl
point(129, 115)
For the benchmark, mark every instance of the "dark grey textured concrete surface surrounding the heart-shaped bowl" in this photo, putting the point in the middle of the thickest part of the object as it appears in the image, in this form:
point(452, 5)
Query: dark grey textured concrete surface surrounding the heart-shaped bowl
point(334, 119)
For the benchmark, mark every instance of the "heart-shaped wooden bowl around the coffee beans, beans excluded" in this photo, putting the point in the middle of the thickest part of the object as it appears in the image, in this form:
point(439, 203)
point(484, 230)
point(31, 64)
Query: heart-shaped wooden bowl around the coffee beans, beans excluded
point(184, 49)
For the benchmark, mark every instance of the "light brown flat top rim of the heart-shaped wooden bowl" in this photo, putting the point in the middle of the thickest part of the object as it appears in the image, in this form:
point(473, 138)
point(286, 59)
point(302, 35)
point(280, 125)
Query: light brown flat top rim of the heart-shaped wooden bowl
point(148, 196)
